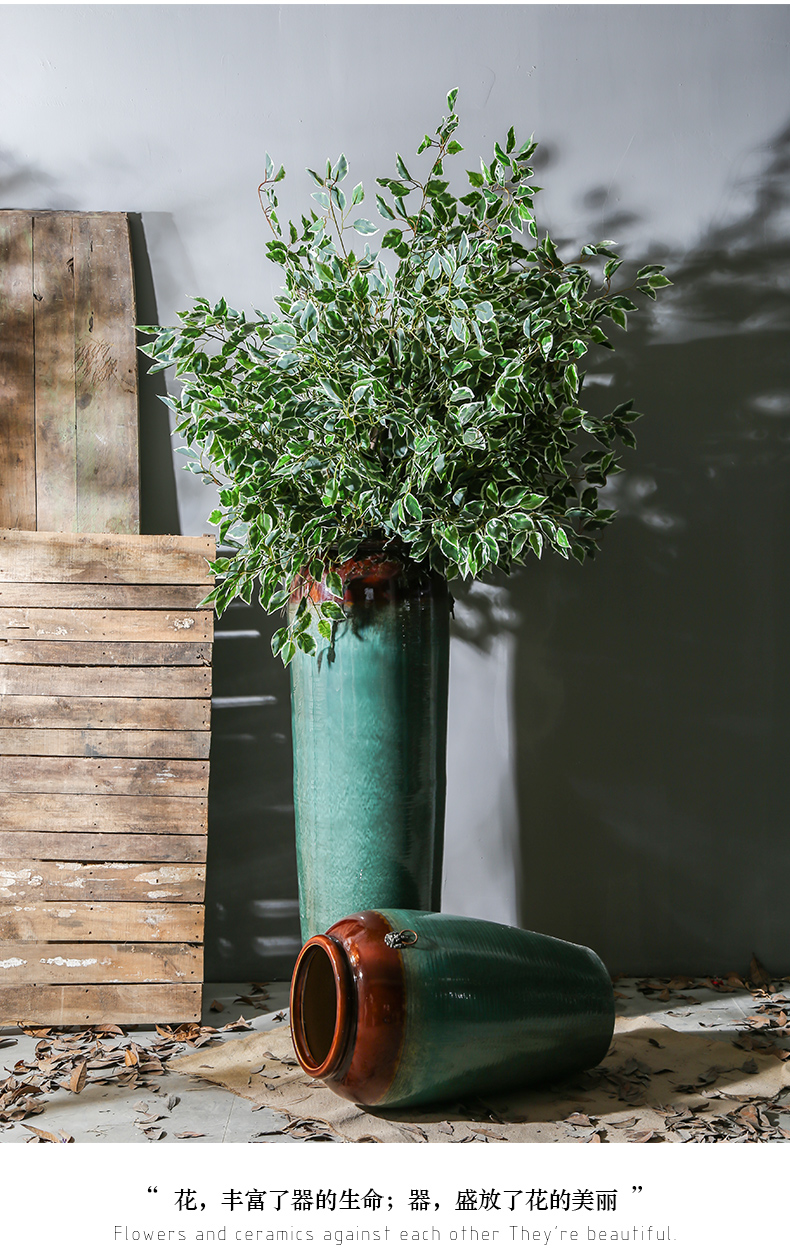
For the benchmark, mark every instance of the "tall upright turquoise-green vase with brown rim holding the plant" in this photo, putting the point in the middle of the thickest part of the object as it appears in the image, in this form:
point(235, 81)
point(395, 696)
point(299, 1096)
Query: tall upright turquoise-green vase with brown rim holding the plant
point(369, 721)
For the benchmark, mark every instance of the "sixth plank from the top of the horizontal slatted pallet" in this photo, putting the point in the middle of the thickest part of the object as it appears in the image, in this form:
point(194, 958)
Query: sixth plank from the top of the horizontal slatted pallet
point(135, 714)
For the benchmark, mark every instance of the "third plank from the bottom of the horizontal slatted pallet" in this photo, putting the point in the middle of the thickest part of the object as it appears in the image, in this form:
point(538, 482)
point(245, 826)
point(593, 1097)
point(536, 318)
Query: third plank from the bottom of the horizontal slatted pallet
point(100, 920)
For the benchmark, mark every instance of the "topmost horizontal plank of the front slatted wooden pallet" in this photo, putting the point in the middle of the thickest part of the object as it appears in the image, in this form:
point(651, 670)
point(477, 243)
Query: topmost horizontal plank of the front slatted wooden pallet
point(47, 557)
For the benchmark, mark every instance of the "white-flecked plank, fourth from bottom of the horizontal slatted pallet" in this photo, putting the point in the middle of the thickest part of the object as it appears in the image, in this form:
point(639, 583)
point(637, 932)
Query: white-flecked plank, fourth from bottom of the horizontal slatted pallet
point(24, 880)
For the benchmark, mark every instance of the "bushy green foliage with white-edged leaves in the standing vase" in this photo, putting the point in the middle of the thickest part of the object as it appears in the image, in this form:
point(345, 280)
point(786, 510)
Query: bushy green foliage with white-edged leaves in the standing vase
point(431, 404)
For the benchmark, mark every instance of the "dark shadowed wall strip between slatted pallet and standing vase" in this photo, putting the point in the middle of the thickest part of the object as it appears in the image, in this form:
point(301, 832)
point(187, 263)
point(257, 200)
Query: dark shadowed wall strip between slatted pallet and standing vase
point(251, 895)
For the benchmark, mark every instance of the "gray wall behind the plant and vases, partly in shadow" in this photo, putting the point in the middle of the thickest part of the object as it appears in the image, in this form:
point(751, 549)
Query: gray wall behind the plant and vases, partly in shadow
point(619, 741)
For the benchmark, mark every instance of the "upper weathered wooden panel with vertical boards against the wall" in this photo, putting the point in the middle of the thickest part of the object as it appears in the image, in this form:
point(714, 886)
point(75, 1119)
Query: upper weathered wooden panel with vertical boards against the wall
point(68, 373)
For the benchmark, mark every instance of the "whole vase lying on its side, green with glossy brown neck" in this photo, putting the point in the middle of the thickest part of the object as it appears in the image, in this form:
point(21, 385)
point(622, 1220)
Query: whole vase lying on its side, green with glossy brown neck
point(463, 1007)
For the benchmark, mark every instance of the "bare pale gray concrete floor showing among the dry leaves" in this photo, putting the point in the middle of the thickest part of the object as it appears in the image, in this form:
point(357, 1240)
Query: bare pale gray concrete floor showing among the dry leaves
point(208, 1115)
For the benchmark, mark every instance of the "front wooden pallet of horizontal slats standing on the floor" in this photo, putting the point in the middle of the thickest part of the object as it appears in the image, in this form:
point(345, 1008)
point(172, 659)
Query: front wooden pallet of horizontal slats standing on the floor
point(105, 732)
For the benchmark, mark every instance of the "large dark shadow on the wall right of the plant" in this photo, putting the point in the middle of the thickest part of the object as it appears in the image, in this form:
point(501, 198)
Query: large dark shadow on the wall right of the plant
point(653, 685)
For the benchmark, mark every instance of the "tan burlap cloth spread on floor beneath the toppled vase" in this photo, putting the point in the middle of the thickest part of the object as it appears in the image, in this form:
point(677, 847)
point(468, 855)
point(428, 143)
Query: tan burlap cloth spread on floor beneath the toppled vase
point(655, 1083)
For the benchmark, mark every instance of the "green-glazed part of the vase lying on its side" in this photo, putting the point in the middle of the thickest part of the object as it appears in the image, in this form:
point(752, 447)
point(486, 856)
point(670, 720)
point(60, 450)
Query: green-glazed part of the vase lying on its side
point(491, 1007)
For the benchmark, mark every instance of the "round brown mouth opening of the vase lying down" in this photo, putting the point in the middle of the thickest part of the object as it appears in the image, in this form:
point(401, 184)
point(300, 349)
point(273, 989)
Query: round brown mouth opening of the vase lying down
point(320, 1008)
